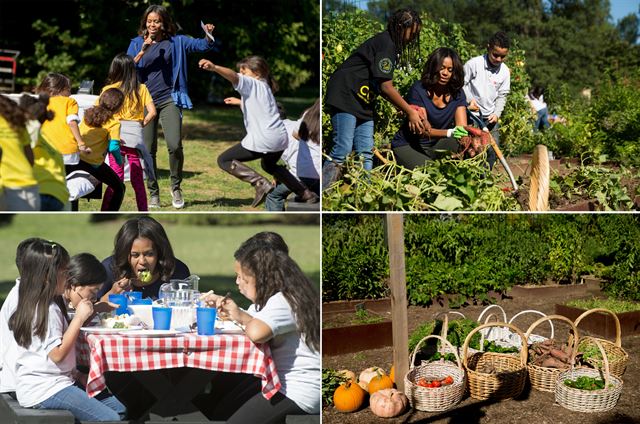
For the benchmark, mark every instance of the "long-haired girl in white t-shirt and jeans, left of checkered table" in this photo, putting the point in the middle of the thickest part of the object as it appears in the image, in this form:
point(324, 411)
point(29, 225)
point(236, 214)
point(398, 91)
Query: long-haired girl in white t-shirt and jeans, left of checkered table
point(46, 358)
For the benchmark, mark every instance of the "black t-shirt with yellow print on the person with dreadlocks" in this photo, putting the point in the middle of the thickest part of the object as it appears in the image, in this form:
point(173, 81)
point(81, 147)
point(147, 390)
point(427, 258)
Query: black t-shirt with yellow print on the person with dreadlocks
point(354, 86)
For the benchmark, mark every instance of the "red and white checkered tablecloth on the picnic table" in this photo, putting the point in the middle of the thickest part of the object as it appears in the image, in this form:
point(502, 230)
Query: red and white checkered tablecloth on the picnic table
point(221, 352)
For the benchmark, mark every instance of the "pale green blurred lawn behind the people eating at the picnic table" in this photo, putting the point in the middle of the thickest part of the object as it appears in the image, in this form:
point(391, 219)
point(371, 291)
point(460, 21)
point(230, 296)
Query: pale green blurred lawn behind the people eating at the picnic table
point(206, 249)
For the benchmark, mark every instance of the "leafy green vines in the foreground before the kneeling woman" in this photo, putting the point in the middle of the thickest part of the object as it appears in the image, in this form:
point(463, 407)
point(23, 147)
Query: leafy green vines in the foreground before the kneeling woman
point(445, 185)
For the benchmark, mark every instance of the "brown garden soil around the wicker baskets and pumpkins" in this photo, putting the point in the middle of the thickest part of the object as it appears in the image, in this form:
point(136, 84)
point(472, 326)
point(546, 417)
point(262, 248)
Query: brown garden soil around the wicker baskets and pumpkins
point(531, 407)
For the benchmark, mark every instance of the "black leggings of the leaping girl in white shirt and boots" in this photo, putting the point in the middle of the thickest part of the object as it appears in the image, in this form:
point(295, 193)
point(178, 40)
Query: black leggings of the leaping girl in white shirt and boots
point(268, 161)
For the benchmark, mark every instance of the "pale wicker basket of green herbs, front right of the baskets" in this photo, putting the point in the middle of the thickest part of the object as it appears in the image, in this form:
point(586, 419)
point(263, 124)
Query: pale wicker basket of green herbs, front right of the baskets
point(589, 400)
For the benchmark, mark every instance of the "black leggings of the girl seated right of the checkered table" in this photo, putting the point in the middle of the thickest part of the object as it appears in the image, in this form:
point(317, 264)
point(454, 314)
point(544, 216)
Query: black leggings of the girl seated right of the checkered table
point(260, 410)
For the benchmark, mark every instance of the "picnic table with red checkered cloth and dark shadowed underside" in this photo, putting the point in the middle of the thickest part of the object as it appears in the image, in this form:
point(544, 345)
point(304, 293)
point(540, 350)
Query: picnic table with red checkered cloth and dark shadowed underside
point(173, 369)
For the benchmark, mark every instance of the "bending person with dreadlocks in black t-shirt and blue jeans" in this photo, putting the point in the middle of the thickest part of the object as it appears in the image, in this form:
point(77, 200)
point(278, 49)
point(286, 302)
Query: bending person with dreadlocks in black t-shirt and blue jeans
point(355, 85)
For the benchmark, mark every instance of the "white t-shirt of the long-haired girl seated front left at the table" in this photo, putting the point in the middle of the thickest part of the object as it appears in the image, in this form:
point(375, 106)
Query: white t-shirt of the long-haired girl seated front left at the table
point(40, 377)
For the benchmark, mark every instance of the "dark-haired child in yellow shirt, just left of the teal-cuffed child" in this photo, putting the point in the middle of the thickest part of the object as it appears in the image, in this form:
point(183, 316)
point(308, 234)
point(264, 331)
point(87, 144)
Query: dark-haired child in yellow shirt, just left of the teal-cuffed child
point(62, 131)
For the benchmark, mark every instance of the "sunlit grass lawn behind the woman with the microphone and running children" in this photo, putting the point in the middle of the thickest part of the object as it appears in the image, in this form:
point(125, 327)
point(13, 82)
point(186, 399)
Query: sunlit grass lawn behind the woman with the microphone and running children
point(207, 132)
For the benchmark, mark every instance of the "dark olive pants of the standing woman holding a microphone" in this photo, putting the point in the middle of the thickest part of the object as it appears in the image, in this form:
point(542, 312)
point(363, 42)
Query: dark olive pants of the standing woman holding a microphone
point(170, 117)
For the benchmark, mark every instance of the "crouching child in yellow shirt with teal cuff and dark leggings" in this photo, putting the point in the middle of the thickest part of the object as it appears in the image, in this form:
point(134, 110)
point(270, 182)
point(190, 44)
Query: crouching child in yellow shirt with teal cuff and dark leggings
point(101, 133)
